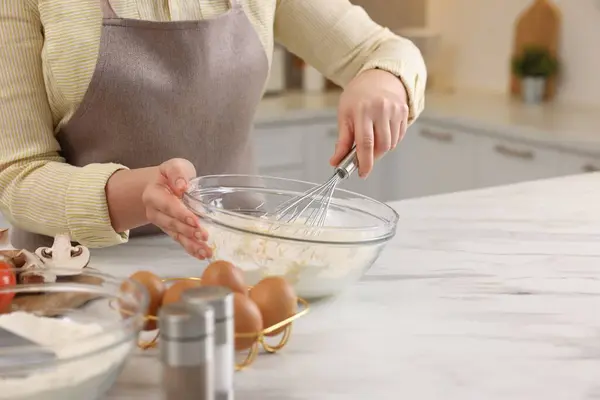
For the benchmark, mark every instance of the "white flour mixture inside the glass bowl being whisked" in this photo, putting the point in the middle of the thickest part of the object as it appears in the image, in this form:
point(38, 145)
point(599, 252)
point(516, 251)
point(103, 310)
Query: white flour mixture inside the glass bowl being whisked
point(315, 269)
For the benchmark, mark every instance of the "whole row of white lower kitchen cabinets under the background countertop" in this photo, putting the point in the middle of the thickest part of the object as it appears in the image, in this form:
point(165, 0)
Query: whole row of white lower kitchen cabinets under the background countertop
point(435, 157)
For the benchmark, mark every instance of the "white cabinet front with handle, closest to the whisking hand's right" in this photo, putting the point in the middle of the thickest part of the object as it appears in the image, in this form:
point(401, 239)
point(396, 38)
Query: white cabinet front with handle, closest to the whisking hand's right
point(434, 159)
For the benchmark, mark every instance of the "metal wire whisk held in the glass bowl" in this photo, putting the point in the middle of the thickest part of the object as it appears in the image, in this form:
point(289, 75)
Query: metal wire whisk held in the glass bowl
point(292, 209)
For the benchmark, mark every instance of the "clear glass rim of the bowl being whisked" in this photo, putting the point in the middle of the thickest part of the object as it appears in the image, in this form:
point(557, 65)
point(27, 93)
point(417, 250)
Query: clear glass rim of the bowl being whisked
point(388, 228)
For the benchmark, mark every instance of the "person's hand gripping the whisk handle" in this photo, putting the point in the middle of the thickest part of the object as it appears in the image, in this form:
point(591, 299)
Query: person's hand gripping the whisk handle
point(373, 113)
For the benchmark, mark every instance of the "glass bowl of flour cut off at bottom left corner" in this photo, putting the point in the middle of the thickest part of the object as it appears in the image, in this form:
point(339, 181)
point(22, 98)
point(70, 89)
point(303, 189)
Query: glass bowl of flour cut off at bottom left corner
point(82, 324)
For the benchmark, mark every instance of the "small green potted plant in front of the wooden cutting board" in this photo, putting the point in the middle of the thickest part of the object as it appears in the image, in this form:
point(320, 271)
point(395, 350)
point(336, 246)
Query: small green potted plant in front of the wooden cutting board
point(534, 66)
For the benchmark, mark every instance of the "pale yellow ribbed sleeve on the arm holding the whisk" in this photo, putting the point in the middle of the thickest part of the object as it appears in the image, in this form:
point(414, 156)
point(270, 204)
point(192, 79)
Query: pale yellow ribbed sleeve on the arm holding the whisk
point(341, 40)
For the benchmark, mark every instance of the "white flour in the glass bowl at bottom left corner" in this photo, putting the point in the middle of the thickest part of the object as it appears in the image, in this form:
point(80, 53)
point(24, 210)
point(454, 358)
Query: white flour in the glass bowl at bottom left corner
point(69, 379)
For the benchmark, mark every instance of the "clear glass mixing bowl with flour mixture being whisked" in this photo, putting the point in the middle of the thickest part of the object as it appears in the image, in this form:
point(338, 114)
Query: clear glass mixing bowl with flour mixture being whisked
point(319, 262)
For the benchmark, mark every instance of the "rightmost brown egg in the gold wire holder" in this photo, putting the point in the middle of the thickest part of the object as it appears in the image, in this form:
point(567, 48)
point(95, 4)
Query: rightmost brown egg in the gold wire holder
point(276, 299)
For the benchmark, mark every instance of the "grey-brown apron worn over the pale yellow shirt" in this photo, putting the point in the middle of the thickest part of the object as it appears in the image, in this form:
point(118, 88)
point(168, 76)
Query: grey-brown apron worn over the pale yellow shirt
point(162, 90)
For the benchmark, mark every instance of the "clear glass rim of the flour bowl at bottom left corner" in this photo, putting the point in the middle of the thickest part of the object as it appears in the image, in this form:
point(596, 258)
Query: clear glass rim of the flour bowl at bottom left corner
point(86, 288)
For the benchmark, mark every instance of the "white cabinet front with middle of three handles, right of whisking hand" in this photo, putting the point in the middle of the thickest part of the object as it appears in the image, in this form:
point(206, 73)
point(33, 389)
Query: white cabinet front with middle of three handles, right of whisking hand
point(502, 162)
